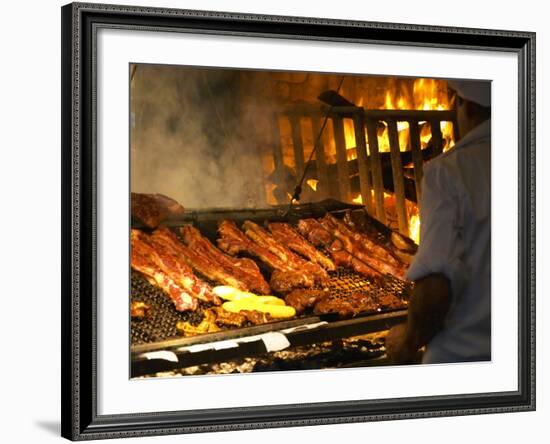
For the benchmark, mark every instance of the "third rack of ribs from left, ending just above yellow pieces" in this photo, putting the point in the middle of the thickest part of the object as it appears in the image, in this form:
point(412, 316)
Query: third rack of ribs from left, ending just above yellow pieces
point(196, 261)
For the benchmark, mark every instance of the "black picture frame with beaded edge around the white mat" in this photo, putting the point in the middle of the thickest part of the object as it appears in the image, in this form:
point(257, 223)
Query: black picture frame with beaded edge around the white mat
point(79, 386)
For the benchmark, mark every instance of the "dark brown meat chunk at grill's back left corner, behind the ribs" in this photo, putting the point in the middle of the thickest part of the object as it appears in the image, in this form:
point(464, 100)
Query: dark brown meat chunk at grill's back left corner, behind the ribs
point(152, 209)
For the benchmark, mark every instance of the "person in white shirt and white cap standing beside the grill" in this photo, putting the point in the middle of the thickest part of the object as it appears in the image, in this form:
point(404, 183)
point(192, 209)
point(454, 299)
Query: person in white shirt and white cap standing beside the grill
point(450, 309)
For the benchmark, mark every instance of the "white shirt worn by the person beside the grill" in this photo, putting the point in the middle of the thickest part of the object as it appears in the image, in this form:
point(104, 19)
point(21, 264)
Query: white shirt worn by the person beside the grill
point(455, 240)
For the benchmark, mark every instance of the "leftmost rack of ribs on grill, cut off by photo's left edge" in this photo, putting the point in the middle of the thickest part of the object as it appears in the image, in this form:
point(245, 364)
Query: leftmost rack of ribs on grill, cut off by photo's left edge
point(141, 260)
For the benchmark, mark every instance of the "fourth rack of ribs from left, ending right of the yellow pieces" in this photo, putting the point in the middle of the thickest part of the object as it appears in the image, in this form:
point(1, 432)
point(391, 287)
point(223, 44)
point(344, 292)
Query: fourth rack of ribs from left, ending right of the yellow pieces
point(245, 270)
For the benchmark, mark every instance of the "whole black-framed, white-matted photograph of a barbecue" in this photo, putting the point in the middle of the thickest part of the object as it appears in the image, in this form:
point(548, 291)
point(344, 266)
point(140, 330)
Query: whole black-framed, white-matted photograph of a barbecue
point(275, 221)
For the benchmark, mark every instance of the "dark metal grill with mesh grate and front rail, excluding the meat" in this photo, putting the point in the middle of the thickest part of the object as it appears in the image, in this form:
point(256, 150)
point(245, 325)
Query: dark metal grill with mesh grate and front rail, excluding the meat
point(157, 332)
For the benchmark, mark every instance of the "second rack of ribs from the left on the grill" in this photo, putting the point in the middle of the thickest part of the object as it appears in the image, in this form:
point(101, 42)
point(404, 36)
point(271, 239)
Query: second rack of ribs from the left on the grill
point(167, 259)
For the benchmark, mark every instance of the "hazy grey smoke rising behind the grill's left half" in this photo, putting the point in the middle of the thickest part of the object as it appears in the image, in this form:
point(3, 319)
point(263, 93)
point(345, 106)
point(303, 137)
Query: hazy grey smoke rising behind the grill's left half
point(195, 139)
